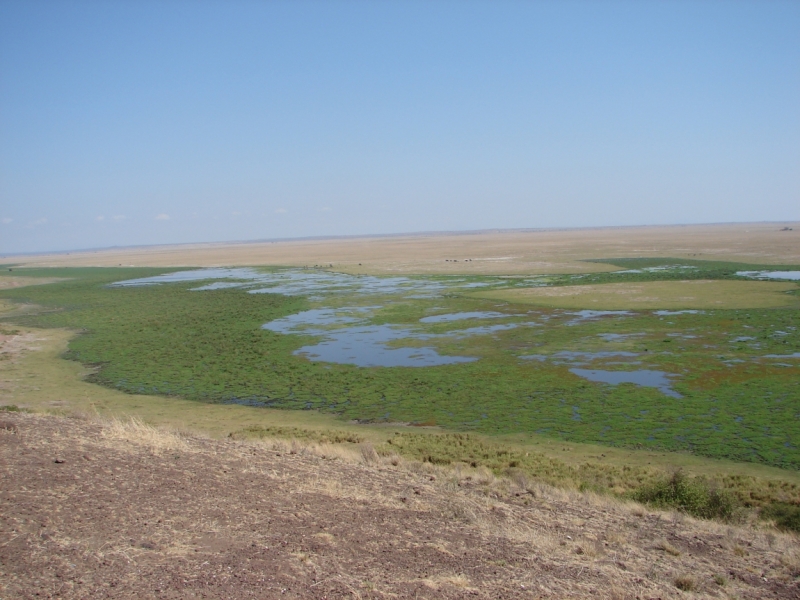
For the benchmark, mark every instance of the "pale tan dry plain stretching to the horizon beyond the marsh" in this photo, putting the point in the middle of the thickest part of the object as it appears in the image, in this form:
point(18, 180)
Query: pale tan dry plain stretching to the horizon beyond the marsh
point(489, 252)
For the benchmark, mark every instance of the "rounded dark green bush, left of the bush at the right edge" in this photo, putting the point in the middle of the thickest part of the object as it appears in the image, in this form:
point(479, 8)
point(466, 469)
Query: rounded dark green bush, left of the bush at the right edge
point(695, 496)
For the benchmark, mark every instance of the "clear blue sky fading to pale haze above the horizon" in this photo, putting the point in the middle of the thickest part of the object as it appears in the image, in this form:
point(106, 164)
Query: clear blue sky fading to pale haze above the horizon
point(155, 122)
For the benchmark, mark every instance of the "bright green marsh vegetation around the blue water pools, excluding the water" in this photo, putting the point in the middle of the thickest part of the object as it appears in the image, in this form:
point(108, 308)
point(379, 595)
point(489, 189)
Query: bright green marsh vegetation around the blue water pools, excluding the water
point(209, 346)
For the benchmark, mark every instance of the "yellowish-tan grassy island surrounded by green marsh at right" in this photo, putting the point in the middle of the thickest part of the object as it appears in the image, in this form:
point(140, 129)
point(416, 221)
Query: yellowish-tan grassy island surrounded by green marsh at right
point(697, 294)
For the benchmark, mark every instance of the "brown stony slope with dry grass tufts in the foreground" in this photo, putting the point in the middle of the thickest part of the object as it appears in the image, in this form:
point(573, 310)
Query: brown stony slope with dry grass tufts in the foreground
point(93, 509)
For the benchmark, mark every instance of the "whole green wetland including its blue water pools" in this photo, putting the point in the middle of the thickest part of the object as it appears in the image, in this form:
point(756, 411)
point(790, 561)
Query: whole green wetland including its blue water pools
point(436, 350)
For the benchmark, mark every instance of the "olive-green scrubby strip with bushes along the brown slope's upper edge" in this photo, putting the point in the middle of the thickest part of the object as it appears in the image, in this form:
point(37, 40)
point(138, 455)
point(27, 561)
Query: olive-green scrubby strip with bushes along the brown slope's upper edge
point(720, 496)
